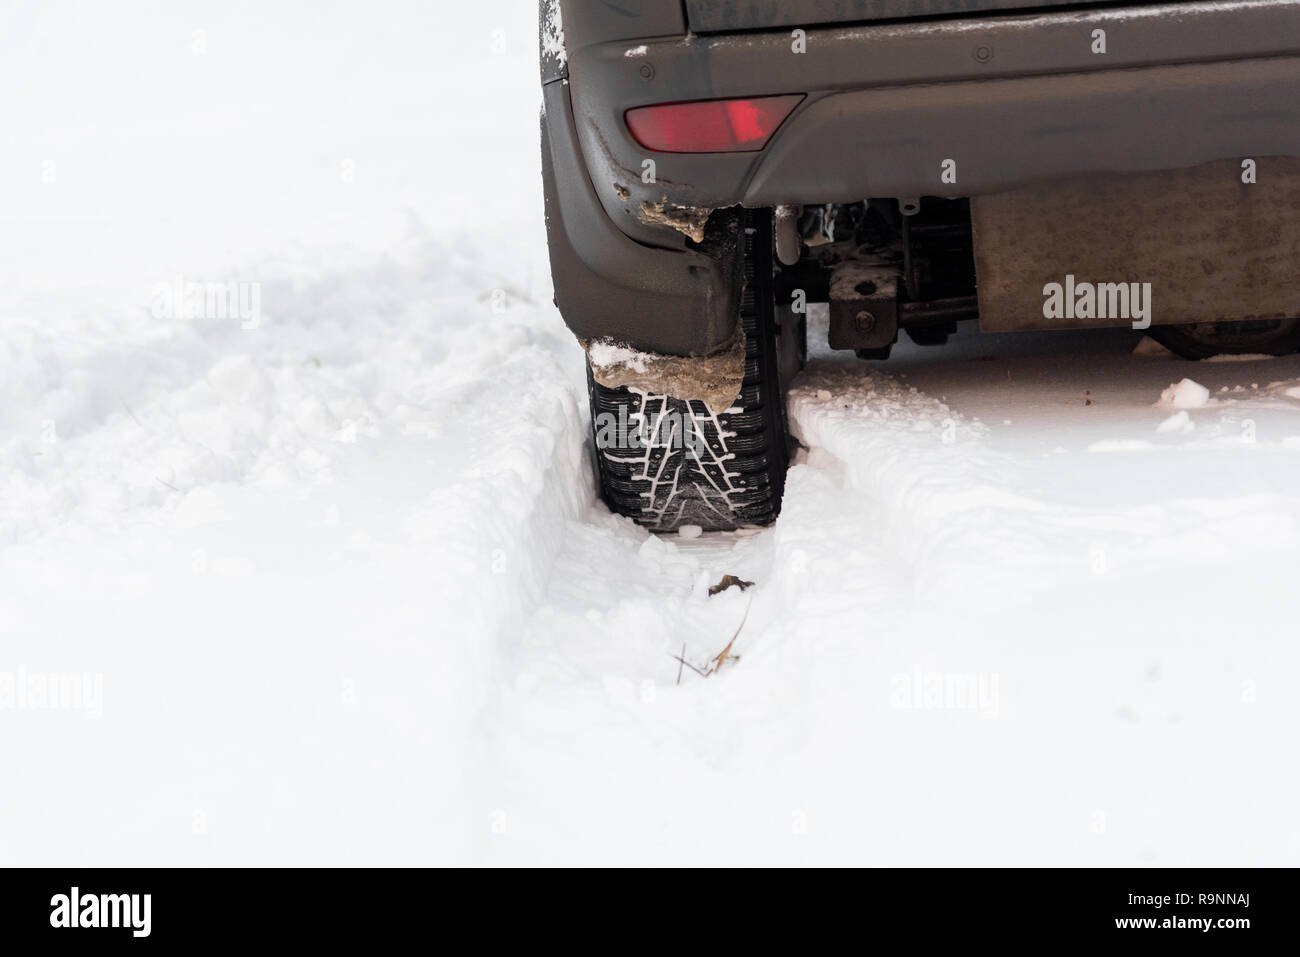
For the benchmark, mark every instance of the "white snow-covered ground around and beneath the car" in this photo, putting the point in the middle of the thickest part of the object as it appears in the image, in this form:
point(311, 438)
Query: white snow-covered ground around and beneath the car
point(343, 591)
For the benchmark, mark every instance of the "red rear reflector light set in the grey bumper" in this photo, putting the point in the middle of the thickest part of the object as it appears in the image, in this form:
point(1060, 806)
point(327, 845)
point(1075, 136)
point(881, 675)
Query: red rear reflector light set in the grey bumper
point(710, 127)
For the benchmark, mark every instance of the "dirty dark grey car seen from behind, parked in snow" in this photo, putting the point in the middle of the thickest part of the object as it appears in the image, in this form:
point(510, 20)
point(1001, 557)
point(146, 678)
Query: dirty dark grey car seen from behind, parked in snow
point(714, 167)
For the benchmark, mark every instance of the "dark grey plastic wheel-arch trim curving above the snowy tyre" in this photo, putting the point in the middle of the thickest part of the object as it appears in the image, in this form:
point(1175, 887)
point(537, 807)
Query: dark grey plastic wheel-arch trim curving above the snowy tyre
point(610, 287)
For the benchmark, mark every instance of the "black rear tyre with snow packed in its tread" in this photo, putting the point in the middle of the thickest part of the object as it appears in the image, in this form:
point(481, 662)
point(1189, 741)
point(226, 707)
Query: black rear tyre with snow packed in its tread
point(687, 465)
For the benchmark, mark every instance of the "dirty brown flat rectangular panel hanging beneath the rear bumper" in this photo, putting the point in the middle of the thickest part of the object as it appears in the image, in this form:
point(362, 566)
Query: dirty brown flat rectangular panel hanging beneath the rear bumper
point(1214, 249)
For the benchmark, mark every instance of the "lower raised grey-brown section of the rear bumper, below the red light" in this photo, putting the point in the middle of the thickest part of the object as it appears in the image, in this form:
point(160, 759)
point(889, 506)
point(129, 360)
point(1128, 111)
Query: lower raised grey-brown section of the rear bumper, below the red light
point(1058, 128)
